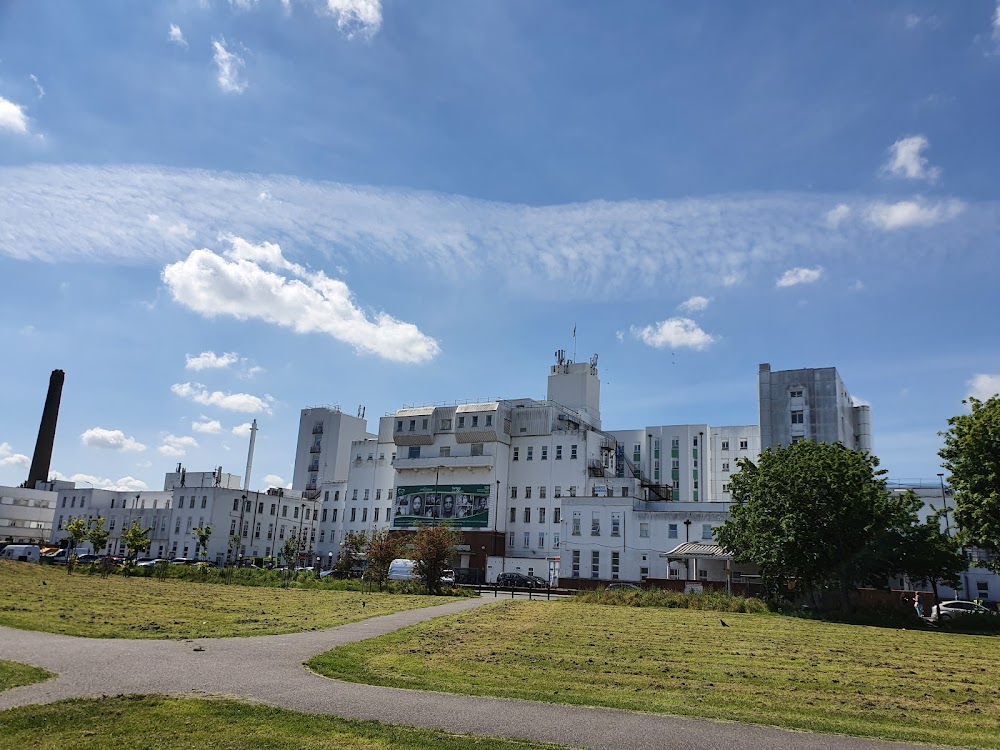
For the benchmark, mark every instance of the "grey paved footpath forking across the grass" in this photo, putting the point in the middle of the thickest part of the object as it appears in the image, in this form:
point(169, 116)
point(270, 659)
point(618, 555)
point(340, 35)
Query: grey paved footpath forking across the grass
point(269, 669)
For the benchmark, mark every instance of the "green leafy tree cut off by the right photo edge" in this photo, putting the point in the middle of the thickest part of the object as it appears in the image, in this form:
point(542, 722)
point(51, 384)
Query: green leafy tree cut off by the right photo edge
point(971, 456)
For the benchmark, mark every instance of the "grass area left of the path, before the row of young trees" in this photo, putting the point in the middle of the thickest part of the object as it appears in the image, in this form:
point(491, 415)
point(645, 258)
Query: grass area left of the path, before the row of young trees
point(40, 597)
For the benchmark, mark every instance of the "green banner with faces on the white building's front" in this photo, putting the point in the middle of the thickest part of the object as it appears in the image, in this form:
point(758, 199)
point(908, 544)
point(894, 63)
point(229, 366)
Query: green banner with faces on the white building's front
point(459, 505)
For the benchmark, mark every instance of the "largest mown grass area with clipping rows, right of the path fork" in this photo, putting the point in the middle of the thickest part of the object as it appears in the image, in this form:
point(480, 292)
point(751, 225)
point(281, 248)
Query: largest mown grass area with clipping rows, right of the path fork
point(766, 669)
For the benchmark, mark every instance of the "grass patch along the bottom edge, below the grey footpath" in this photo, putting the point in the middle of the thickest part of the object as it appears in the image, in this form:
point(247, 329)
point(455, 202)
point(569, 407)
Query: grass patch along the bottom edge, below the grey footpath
point(139, 723)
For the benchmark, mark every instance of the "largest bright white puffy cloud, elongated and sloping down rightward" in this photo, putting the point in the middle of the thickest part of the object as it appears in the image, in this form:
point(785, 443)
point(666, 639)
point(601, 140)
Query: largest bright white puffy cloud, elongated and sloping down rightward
point(238, 284)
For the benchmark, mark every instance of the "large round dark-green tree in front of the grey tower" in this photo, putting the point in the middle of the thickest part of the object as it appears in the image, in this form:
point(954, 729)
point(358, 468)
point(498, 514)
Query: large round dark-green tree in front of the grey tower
point(817, 514)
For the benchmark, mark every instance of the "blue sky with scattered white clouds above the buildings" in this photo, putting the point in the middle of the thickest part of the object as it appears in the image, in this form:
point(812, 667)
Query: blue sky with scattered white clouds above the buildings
point(214, 211)
